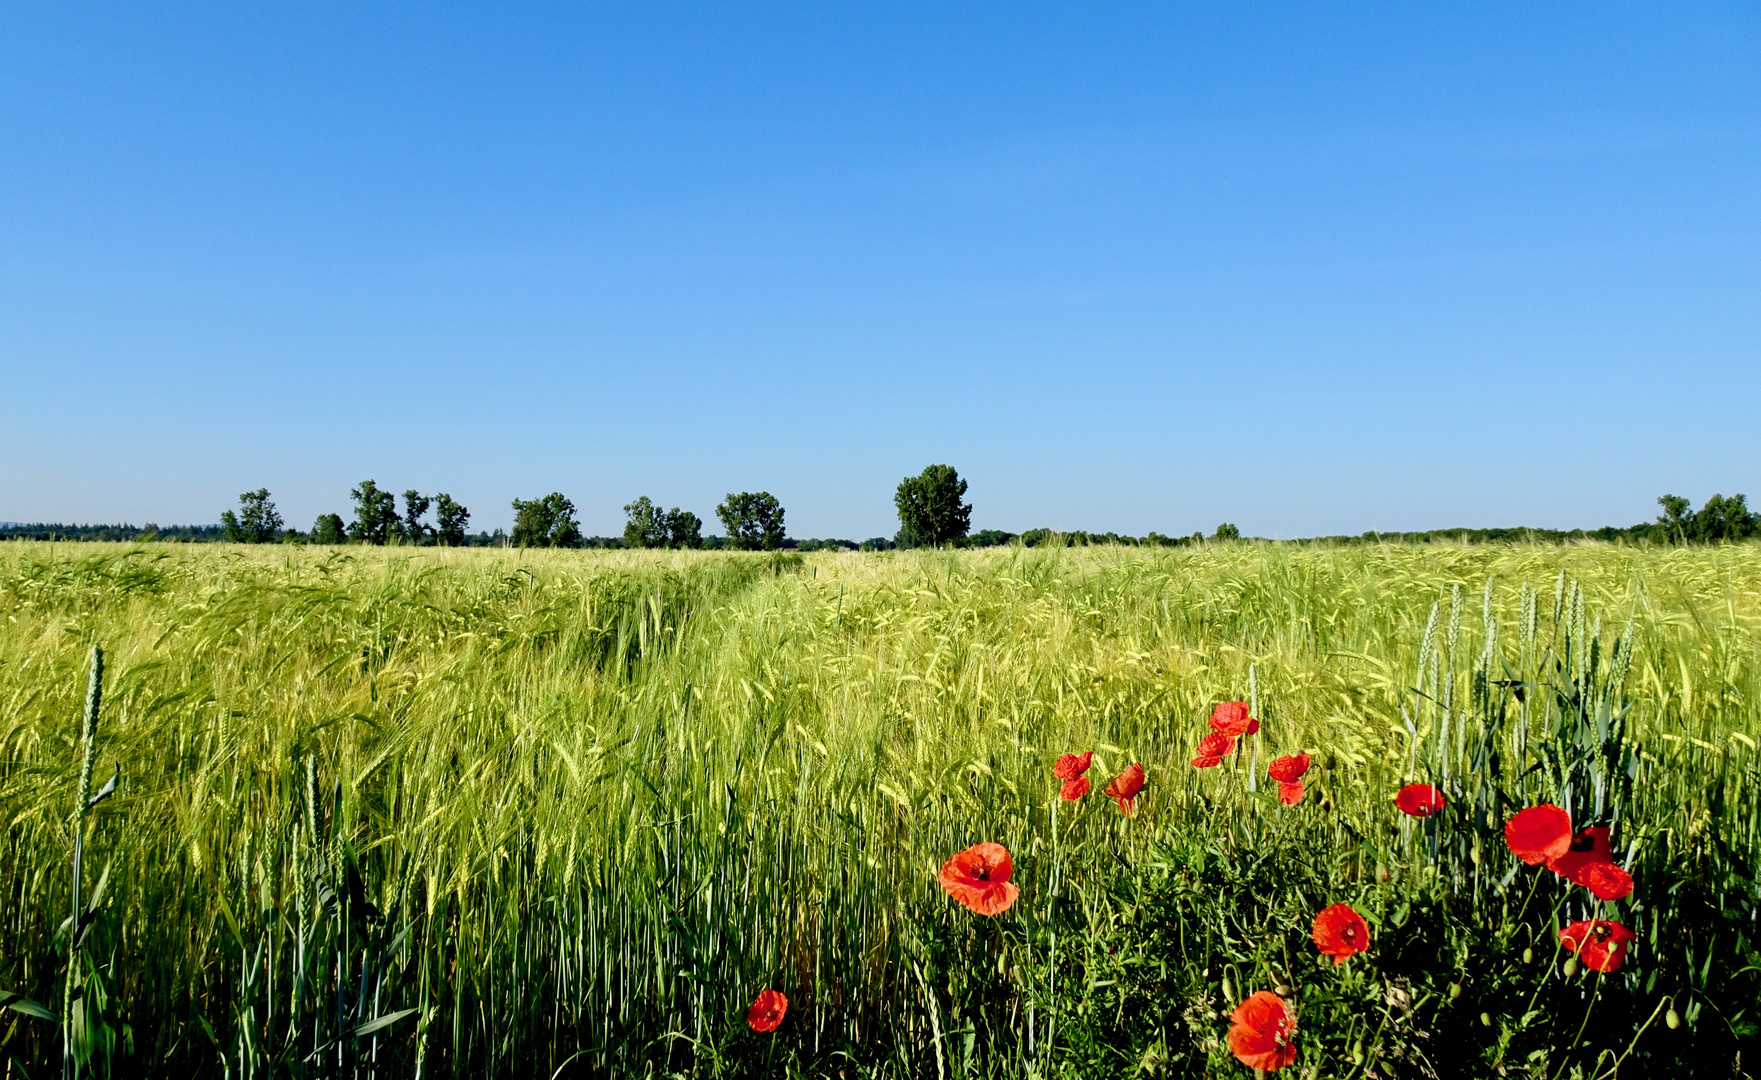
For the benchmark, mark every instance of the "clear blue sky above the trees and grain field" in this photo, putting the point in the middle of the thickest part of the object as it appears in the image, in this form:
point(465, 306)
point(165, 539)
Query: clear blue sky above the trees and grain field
point(1306, 269)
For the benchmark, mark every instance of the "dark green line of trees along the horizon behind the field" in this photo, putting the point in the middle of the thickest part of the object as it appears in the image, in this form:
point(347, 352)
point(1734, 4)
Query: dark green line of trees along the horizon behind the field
point(931, 515)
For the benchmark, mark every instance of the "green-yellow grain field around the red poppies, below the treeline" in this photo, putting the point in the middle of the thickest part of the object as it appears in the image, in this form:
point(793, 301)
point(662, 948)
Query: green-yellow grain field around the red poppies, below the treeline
point(568, 813)
